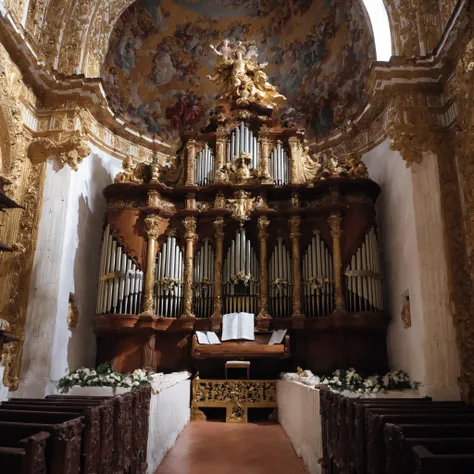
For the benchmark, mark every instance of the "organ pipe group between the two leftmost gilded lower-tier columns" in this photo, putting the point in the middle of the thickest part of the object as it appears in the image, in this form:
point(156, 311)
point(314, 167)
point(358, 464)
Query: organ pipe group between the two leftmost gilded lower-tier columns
point(169, 279)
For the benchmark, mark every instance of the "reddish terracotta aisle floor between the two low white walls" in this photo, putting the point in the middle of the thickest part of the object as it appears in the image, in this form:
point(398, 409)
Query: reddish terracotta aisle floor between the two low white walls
point(224, 448)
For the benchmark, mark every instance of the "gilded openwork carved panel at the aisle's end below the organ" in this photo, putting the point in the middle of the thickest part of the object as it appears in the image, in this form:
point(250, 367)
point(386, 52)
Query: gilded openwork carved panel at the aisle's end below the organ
point(236, 396)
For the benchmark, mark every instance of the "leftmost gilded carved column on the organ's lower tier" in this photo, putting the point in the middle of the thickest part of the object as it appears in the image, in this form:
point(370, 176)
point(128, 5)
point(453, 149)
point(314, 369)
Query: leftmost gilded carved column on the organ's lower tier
point(152, 223)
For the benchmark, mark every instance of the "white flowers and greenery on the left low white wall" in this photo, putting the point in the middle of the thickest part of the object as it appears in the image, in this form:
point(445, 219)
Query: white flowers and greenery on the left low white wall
point(103, 376)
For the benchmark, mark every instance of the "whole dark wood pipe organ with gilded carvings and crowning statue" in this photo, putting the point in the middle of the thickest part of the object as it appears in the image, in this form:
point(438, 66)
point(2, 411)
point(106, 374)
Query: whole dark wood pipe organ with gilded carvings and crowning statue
point(244, 218)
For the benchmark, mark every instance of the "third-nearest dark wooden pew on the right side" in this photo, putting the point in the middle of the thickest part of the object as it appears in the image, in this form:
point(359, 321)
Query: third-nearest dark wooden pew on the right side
point(375, 436)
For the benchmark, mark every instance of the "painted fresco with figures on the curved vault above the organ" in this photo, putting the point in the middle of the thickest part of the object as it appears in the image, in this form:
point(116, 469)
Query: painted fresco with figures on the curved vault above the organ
point(319, 54)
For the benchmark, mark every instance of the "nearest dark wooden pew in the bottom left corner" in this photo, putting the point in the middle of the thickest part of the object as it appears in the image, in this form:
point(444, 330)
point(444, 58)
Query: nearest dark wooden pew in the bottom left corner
point(28, 458)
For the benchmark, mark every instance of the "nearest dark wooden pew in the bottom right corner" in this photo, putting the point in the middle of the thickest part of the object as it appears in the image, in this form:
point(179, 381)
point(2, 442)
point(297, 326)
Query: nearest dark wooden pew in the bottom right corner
point(429, 463)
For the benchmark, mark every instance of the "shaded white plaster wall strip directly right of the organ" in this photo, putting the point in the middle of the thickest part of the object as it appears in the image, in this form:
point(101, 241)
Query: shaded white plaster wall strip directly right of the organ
point(398, 242)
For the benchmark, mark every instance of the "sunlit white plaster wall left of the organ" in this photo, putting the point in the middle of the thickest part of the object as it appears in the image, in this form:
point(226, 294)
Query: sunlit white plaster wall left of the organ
point(66, 261)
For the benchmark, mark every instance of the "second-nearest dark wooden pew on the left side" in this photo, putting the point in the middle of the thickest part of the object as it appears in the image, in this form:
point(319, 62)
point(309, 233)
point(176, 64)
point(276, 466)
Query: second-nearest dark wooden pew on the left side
point(63, 447)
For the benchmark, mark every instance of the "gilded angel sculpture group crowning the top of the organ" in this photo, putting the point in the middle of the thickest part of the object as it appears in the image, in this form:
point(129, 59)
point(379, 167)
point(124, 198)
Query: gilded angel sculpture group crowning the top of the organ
point(241, 77)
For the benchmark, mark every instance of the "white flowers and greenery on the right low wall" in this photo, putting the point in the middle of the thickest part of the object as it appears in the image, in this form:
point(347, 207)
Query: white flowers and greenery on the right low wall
point(352, 381)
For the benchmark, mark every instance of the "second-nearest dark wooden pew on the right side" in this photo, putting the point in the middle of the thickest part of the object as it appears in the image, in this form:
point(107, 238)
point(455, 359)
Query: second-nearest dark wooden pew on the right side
point(399, 453)
